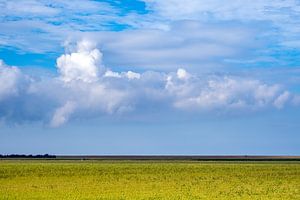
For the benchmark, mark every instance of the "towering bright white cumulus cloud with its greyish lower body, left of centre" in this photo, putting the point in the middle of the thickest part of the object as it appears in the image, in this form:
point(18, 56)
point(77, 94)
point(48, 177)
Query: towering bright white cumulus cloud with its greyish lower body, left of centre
point(87, 91)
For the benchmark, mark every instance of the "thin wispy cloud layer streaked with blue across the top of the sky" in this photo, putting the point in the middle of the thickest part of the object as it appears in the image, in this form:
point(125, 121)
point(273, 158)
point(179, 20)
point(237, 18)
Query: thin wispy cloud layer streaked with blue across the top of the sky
point(203, 32)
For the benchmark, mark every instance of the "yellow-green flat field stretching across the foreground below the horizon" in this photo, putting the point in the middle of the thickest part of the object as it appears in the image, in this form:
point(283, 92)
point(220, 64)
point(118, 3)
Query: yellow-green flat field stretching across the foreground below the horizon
point(148, 180)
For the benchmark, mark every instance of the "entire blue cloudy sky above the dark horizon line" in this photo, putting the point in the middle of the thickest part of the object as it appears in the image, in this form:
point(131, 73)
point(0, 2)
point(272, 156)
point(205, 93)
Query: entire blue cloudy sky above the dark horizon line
point(145, 77)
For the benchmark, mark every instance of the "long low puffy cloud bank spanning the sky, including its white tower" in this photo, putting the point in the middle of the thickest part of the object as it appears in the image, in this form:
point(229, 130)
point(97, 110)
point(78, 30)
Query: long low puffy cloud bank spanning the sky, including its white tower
point(85, 88)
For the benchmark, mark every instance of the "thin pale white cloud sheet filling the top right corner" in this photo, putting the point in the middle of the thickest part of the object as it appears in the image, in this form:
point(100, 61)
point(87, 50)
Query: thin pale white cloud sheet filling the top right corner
point(279, 17)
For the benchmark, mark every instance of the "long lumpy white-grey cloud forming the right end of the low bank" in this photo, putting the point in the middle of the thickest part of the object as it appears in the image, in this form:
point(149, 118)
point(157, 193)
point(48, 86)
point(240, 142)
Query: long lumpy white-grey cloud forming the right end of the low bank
point(225, 93)
